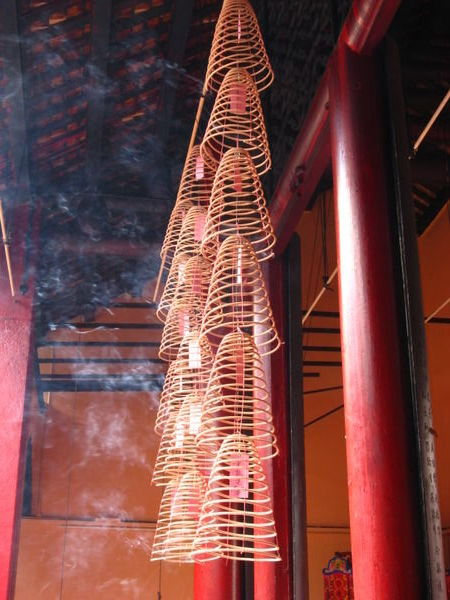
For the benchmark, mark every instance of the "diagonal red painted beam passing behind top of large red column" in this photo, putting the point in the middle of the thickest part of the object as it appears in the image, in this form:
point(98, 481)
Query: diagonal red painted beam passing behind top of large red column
point(366, 25)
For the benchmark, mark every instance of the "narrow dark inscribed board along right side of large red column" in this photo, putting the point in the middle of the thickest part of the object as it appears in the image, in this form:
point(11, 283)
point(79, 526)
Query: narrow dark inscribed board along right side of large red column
point(414, 341)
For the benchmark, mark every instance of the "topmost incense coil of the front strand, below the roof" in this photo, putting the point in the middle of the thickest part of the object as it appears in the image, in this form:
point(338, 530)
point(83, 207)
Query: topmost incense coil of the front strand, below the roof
point(238, 43)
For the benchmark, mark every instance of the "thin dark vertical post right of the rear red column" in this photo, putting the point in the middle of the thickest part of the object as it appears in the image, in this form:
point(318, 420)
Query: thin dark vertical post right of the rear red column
point(296, 419)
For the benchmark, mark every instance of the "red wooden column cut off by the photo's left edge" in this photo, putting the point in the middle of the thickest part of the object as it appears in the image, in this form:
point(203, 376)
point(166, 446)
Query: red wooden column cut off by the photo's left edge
point(15, 334)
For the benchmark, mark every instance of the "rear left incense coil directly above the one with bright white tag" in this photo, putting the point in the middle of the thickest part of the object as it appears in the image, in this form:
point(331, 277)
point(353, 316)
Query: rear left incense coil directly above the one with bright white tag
point(185, 316)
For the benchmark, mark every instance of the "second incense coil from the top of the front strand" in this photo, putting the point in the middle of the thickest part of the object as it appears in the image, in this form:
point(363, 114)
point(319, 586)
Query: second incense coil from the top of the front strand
point(237, 121)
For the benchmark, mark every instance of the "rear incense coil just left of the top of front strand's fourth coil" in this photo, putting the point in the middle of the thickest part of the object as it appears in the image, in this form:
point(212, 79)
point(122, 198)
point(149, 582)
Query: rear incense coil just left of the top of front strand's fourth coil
point(187, 275)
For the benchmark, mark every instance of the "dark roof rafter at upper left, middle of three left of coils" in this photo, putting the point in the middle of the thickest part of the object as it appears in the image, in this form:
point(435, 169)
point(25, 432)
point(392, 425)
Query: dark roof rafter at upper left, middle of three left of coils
point(98, 66)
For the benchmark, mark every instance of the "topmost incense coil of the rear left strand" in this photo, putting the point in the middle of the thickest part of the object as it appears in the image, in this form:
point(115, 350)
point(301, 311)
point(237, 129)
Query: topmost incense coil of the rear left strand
point(196, 180)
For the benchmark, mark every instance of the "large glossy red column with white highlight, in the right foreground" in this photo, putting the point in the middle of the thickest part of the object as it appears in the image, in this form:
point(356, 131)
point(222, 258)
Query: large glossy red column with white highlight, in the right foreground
point(384, 515)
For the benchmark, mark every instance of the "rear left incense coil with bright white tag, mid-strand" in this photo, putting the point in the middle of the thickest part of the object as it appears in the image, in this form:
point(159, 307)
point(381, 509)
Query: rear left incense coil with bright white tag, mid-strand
point(188, 373)
